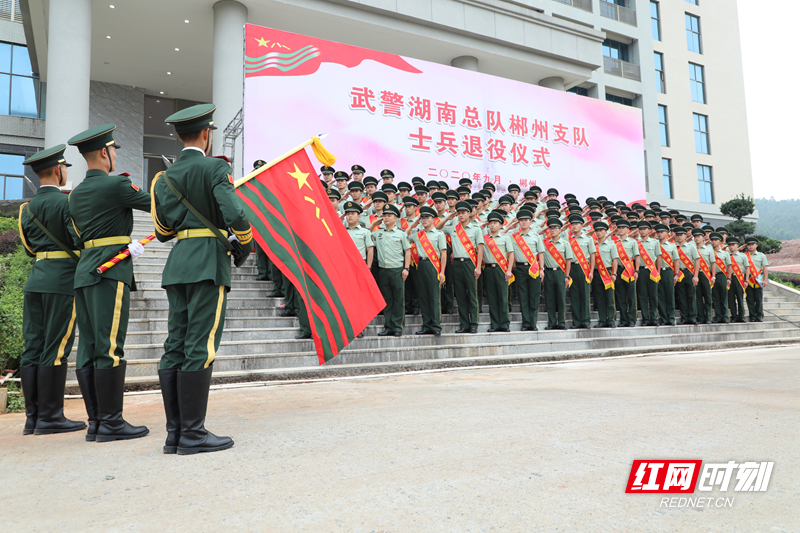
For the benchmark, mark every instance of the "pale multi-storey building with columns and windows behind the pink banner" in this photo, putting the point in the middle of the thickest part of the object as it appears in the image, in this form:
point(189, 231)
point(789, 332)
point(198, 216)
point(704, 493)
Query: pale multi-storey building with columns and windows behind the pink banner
point(133, 62)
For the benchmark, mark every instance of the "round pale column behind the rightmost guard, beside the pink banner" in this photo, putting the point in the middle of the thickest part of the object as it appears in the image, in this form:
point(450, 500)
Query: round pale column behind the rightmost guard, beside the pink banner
point(228, 66)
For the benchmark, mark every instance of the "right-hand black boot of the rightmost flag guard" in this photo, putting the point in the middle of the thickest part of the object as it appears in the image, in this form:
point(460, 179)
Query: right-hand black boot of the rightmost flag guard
point(193, 395)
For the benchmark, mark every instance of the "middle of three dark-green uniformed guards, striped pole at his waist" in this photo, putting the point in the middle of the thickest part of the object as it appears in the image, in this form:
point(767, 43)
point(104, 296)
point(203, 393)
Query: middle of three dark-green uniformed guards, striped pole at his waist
point(102, 213)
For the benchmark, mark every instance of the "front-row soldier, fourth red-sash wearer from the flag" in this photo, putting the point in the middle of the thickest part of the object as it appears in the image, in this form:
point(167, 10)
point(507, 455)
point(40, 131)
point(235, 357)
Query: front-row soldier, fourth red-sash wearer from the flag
point(528, 287)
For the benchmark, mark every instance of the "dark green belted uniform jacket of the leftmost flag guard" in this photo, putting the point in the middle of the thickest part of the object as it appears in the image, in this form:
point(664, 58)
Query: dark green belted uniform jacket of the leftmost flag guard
point(53, 276)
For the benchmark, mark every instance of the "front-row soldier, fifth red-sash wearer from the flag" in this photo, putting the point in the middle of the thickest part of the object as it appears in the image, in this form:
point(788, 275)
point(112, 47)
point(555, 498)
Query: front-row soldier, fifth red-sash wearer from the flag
point(555, 280)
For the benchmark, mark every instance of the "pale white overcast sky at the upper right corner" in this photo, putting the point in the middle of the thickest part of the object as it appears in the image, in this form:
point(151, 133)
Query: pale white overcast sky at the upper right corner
point(772, 89)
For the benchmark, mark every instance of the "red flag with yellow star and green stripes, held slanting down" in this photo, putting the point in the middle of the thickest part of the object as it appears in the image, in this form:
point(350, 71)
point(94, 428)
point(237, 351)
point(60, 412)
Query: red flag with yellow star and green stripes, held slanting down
point(295, 223)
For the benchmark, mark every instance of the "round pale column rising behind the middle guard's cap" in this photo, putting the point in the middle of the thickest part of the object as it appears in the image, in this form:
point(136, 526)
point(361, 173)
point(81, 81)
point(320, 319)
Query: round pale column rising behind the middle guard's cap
point(69, 53)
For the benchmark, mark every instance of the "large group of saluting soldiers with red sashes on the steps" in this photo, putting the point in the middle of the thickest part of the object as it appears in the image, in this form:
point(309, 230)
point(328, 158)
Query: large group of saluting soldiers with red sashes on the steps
point(429, 246)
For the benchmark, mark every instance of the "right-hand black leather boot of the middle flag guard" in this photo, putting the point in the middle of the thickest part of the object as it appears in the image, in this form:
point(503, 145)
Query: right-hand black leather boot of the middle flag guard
point(110, 384)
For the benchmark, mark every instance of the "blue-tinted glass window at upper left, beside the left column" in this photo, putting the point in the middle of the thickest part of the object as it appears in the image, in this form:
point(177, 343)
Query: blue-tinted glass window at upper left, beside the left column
point(20, 90)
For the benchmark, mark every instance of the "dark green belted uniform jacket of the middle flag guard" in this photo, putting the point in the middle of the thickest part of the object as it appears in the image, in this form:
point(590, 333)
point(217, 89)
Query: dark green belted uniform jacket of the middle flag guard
point(102, 206)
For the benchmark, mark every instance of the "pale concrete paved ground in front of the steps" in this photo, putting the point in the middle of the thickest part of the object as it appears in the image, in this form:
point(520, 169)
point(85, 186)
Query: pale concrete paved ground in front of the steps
point(532, 448)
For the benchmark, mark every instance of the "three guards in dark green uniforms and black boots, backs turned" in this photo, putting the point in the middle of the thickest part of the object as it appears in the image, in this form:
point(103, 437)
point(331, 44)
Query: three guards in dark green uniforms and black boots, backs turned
point(72, 236)
